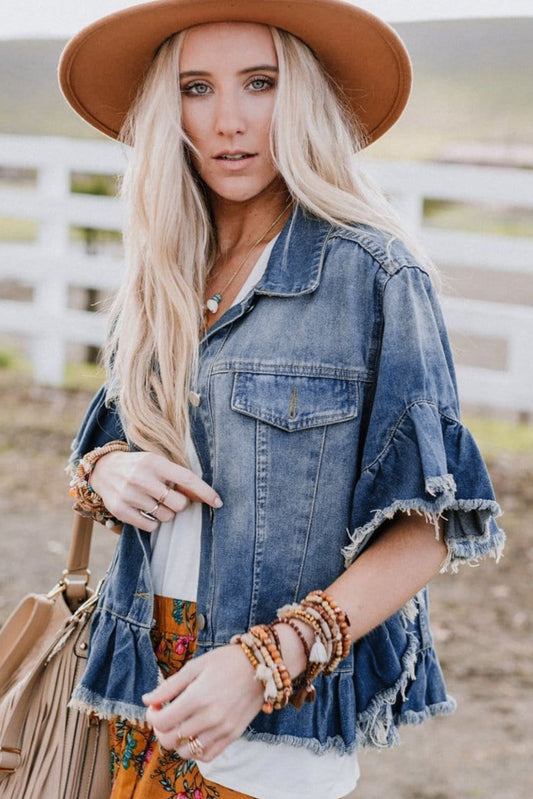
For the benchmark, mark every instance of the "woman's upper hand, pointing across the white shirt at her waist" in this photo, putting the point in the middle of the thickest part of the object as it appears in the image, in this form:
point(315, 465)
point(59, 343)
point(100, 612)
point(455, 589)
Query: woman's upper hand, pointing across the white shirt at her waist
point(131, 482)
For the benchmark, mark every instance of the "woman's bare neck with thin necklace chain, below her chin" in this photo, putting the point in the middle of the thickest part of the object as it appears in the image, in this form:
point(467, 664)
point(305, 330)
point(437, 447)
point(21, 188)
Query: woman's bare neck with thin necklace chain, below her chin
point(238, 225)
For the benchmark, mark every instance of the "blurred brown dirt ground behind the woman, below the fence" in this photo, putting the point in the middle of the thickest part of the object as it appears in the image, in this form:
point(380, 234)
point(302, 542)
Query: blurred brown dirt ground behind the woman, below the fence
point(481, 617)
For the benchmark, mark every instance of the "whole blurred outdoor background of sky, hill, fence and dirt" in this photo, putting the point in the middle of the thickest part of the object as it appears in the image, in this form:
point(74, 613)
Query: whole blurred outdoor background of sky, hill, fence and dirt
point(459, 168)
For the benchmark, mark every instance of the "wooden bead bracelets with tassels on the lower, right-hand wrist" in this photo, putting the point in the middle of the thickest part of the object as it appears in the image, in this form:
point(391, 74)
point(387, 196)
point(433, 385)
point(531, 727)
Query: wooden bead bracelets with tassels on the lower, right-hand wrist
point(331, 645)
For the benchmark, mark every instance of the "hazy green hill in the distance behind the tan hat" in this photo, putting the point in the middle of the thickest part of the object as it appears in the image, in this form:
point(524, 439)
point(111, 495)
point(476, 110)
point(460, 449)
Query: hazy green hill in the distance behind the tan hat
point(473, 80)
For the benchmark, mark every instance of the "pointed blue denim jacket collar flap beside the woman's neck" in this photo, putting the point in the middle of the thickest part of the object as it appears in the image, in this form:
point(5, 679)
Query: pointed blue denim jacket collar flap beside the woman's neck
point(295, 263)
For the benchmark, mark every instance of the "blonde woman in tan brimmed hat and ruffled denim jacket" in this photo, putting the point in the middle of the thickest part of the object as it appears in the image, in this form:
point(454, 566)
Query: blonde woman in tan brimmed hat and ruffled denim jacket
point(280, 399)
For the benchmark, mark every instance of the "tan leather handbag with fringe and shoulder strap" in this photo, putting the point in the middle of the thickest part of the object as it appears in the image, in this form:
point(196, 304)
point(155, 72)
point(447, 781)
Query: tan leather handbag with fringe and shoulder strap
point(48, 750)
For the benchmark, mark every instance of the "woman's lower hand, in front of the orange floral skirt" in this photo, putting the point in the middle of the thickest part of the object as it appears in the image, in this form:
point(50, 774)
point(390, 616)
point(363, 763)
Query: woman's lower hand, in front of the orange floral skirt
point(212, 699)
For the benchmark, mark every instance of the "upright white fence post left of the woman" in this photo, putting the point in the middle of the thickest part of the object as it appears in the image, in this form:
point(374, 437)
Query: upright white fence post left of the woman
point(48, 351)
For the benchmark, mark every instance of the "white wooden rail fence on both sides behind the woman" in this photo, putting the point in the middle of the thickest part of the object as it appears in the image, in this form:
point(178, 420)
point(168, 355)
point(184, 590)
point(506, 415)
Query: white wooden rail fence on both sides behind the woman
point(52, 264)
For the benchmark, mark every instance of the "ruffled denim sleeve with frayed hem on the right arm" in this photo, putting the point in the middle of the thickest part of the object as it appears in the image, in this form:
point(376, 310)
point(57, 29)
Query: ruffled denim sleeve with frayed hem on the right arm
point(417, 455)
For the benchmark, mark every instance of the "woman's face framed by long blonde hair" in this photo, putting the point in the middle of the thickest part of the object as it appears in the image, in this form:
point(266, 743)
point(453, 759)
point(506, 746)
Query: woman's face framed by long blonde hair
point(228, 79)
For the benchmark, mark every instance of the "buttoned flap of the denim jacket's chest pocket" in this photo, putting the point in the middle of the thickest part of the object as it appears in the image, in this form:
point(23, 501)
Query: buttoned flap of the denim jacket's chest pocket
point(294, 402)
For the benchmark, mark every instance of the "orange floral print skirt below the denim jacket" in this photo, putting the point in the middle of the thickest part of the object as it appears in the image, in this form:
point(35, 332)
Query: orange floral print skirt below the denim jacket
point(141, 768)
